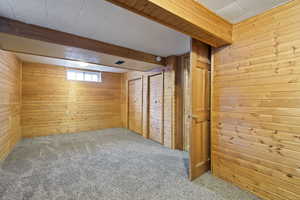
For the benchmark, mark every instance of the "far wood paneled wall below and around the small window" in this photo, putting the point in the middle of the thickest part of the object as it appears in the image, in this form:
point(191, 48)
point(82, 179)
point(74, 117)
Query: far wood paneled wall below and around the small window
point(53, 105)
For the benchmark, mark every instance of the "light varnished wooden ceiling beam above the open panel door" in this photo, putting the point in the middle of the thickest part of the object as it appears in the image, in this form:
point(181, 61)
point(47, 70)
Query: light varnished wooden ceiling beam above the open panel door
point(186, 16)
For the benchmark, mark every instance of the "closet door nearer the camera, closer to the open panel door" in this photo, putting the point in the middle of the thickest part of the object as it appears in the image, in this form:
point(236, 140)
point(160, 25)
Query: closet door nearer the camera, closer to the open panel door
point(155, 109)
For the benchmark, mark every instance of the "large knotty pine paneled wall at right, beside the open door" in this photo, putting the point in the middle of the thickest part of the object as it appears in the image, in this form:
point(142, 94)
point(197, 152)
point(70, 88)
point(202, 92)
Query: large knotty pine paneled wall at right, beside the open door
point(256, 105)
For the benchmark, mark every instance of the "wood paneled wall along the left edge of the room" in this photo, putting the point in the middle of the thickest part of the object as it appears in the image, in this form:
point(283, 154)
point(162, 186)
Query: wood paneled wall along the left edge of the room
point(10, 102)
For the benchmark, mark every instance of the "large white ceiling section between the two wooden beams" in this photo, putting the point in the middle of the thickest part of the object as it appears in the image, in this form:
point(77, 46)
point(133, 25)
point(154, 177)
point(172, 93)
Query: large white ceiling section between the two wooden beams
point(99, 20)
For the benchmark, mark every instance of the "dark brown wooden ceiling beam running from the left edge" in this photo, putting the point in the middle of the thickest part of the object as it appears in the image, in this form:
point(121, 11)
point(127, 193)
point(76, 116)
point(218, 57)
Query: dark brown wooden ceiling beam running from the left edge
point(34, 32)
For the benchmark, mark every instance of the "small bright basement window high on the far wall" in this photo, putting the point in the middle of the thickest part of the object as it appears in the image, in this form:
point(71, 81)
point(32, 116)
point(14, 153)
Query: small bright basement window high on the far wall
point(78, 75)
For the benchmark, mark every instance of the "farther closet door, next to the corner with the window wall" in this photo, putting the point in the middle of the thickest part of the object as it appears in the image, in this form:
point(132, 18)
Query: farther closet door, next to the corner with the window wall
point(135, 105)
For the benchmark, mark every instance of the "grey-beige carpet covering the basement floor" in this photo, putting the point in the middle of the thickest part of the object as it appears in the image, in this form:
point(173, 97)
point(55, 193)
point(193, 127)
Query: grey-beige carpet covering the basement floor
point(112, 164)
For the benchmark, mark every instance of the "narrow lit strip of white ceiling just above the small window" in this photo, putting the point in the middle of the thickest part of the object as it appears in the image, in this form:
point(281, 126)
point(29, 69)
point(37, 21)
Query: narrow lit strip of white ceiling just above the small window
point(67, 63)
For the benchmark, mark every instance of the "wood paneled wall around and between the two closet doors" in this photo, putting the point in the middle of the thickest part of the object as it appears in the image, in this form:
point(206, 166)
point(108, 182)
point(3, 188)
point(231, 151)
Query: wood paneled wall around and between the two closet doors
point(168, 99)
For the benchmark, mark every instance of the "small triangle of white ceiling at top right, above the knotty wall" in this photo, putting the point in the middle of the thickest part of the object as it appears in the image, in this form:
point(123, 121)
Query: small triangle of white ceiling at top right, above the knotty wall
point(236, 11)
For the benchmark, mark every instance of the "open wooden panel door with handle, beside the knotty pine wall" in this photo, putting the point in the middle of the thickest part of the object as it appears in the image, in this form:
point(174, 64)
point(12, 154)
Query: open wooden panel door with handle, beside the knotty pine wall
point(200, 110)
